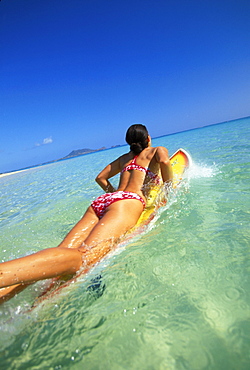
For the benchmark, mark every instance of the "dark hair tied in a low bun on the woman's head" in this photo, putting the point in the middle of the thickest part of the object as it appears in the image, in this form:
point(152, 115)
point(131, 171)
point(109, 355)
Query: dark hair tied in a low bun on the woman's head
point(137, 138)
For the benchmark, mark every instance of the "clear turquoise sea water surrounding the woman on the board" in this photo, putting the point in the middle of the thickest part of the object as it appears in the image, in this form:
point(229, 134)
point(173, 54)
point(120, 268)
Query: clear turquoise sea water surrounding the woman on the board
point(175, 297)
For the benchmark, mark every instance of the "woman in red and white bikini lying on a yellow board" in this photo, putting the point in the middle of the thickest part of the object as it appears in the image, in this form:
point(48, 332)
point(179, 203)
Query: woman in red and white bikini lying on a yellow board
point(106, 220)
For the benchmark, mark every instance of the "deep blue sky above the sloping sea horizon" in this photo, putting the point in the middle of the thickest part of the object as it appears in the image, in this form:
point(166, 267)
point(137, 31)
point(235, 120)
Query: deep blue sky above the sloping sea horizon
point(77, 73)
